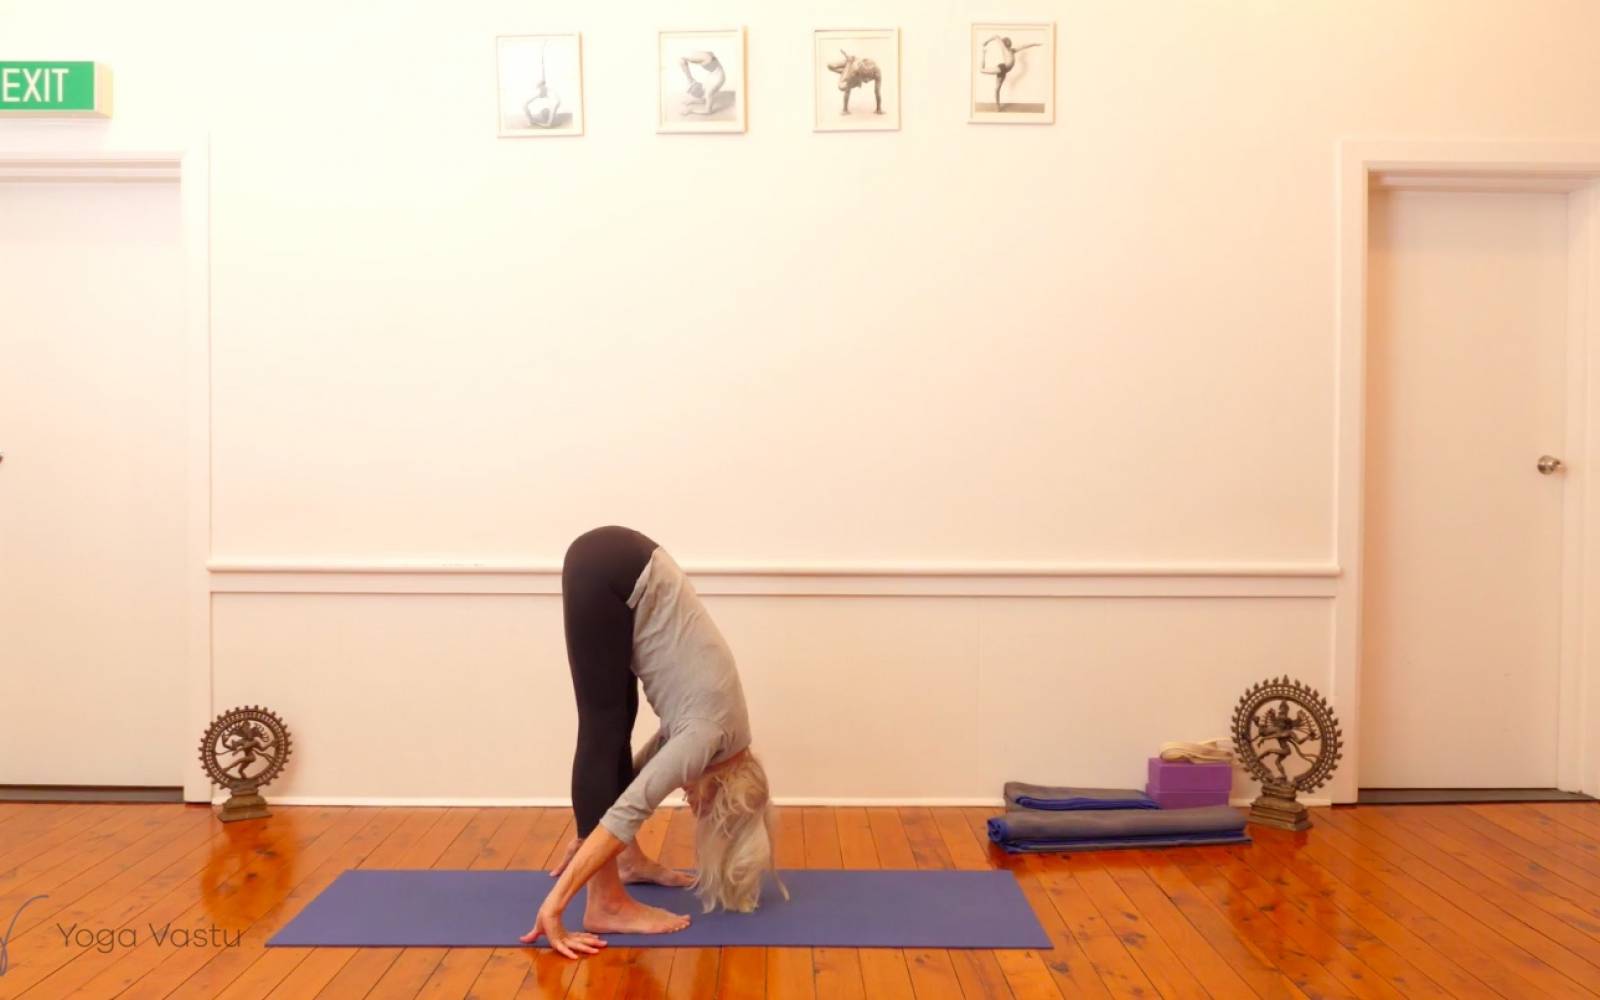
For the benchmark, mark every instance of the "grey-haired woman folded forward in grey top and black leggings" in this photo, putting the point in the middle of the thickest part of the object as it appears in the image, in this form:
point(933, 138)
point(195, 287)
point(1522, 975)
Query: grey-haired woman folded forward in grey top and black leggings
point(633, 618)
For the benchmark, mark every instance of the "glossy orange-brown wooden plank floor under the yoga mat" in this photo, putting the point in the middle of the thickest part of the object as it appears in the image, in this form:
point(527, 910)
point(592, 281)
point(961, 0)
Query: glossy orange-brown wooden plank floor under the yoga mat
point(1377, 902)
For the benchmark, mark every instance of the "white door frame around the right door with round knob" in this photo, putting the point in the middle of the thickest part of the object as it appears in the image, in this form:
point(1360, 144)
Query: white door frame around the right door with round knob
point(1570, 169)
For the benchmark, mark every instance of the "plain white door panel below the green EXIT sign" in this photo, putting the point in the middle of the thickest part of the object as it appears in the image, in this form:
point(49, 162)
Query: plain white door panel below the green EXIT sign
point(92, 486)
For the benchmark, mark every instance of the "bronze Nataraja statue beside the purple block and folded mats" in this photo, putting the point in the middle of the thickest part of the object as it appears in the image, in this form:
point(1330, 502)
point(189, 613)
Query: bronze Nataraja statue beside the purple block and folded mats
point(1281, 727)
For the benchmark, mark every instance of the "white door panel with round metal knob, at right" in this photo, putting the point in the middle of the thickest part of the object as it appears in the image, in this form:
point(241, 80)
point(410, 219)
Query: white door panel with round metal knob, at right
point(1463, 551)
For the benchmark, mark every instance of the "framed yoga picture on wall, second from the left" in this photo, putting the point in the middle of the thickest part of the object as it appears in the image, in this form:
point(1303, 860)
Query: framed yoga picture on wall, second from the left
point(702, 81)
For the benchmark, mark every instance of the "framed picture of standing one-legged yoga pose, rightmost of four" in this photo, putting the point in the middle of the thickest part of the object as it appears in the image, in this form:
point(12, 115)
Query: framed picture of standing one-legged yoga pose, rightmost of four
point(1014, 74)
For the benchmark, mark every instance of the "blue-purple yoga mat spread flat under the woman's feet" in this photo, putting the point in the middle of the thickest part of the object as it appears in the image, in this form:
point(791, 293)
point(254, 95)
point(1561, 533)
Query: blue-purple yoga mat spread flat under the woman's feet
point(828, 908)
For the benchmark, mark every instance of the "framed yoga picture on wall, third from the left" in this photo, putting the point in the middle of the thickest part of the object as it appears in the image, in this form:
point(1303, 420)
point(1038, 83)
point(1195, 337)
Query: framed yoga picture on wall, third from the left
point(857, 79)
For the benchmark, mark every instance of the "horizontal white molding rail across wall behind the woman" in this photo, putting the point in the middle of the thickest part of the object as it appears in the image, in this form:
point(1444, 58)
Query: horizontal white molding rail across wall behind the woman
point(794, 580)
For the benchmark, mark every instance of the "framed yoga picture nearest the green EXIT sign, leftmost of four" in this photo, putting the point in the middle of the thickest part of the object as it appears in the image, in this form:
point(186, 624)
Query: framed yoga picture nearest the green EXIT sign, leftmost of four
point(542, 86)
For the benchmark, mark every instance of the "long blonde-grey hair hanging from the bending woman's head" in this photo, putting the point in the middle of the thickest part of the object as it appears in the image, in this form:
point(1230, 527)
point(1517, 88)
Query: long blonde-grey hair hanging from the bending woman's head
point(734, 838)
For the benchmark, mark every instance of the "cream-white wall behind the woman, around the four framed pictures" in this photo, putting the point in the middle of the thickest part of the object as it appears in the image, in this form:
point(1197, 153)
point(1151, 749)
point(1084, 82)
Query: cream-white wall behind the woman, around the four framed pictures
point(1098, 346)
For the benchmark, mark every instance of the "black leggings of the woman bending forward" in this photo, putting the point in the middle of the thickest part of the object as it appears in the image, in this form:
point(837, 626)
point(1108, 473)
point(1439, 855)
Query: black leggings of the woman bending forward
point(598, 578)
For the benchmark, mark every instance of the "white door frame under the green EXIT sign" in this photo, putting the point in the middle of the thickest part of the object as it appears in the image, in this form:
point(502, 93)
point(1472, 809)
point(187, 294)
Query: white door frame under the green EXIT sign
point(66, 154)
